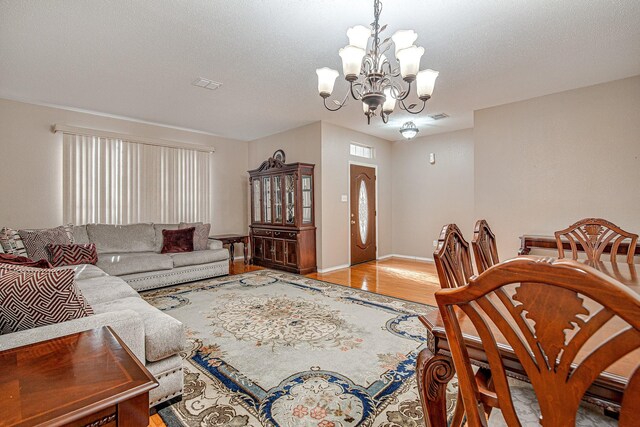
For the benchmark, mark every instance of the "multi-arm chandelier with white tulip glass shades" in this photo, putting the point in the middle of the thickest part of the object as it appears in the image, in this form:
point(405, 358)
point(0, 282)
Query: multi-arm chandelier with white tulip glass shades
point(372, 77)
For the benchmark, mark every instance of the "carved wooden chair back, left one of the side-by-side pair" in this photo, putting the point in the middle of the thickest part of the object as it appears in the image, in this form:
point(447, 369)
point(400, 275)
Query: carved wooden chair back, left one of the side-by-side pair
point(453, 258)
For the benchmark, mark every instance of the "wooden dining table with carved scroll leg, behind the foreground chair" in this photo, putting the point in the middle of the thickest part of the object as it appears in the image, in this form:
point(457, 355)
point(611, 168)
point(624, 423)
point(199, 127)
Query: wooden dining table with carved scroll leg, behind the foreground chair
point(435, 367)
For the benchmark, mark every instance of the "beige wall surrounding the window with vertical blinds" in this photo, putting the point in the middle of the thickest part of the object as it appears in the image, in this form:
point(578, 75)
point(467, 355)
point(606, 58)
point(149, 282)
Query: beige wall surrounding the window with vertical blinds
point(31, 169)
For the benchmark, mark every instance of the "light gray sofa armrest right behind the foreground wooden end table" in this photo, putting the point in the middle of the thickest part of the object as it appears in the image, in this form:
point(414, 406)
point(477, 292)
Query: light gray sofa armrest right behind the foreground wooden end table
point(126, 323)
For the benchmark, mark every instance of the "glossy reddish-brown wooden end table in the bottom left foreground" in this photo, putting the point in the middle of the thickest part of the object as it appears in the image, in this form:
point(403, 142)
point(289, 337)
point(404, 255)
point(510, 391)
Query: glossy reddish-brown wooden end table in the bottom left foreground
point(88, 378)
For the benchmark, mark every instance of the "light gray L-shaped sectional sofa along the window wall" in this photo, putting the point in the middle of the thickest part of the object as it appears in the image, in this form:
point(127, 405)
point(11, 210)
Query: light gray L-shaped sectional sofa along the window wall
point(129, 261)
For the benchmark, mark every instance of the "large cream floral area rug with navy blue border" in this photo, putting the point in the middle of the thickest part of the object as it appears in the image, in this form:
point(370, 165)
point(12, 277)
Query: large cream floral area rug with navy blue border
point(274, 349)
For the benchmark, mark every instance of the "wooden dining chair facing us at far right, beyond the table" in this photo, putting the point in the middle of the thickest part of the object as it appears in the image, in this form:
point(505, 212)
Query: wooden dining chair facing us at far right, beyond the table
point(593, 236)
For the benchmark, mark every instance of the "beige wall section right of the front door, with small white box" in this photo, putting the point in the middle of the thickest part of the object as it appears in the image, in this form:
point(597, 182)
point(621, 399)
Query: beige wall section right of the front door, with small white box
point(427, 196)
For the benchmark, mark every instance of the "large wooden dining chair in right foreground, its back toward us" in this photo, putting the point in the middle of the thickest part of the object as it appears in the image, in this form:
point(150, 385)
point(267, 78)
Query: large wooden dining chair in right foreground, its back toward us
point(547, 310)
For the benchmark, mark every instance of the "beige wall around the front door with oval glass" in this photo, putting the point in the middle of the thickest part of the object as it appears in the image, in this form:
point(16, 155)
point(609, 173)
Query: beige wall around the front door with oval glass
point(335, 183)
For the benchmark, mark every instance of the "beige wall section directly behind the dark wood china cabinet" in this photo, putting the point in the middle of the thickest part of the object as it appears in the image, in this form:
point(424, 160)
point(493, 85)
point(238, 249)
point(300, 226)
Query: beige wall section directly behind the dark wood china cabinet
point(300, 145)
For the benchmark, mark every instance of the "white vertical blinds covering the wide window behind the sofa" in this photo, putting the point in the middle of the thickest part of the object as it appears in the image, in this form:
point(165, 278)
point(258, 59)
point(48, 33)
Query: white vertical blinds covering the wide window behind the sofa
point(113, 181)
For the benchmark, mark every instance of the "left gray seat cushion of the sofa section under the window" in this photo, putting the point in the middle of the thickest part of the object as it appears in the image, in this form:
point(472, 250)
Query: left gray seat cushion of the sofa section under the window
point(119, 264)
